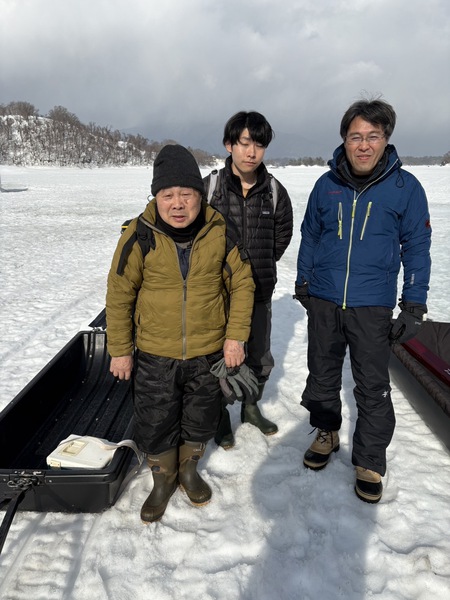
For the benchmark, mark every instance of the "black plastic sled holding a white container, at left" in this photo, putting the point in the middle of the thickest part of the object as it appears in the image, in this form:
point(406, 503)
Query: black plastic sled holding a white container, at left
point(73, 394)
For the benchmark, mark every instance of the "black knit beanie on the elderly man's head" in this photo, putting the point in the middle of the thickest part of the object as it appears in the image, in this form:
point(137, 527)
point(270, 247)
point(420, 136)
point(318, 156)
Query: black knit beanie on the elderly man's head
point(176, 166)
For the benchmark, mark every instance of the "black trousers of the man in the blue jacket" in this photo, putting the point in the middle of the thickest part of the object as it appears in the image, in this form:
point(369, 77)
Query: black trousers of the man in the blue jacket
point(365, 332)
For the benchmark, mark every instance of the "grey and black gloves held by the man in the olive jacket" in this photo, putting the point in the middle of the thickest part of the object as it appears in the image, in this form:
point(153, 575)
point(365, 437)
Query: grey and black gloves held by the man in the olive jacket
point(238, 383)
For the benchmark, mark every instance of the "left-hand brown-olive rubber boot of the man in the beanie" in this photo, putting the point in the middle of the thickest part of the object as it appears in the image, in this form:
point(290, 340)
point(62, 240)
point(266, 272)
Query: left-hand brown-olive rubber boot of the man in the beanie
point(164, 468)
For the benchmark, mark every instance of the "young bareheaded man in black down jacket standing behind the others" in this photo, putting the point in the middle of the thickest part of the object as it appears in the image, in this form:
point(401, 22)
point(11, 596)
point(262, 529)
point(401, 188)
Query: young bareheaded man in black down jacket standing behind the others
point(244, 196)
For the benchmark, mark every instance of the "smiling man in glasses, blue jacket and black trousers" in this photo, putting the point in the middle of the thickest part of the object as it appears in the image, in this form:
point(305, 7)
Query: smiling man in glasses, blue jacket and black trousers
point(364, 219)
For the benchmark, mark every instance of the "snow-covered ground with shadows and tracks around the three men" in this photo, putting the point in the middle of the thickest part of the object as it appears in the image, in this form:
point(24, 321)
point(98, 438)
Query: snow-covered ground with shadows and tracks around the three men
point(272, 529)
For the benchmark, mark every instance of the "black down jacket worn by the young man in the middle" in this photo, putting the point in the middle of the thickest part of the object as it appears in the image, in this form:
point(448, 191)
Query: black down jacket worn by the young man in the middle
point(265, 235)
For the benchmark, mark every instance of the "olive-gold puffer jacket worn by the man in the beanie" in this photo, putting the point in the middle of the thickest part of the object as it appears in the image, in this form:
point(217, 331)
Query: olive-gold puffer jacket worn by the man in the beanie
point(175, 317)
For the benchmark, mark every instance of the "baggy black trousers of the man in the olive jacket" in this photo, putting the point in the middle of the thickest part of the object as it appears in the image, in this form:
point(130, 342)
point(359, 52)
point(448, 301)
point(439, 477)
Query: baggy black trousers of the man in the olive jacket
point(175, 401)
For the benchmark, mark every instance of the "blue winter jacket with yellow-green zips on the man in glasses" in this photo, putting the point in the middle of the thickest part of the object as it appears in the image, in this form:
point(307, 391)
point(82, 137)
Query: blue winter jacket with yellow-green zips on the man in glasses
point(353, 243)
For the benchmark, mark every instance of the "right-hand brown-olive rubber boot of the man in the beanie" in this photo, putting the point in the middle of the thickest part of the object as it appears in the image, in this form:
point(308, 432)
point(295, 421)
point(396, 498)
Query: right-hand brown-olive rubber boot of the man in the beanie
point(196, 488)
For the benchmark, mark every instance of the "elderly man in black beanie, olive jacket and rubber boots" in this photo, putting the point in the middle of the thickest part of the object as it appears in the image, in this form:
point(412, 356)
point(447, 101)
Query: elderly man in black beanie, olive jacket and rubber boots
point(188, 302)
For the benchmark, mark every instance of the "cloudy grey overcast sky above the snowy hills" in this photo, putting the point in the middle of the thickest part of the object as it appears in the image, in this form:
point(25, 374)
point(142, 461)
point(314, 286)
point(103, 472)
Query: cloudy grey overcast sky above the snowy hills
point(179, 68)
